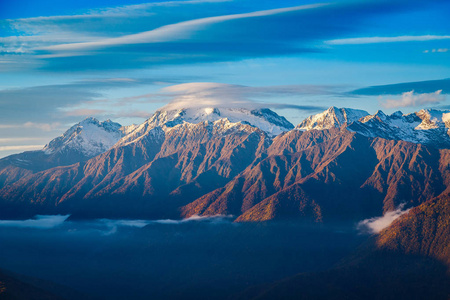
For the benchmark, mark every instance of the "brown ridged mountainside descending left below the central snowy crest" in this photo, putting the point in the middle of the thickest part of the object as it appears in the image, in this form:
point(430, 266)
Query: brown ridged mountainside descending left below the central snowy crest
point(150, 177)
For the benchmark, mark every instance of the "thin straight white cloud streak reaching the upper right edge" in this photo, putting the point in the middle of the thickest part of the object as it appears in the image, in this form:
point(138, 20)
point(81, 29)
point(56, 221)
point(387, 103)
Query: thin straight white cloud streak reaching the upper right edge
point(393, 39)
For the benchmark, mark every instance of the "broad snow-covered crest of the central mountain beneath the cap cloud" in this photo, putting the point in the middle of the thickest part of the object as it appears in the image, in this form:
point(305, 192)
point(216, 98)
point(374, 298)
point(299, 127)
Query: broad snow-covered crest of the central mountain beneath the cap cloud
point(264, 119)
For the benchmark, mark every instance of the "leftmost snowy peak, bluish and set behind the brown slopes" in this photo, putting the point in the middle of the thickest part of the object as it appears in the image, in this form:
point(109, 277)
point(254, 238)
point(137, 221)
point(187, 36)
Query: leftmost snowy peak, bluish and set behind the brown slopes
point(89, 137)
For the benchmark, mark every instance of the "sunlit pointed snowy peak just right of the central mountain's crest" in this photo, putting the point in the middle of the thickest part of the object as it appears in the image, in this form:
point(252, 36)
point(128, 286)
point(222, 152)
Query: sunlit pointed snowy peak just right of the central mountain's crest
point(332, 117)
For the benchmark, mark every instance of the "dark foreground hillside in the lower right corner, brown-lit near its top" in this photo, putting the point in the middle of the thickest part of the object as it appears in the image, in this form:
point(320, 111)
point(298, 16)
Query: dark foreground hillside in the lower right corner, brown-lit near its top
point(410, 259)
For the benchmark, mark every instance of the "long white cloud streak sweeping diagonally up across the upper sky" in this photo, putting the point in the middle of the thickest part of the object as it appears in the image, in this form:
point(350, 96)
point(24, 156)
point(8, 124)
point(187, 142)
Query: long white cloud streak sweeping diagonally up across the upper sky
point(173, 32)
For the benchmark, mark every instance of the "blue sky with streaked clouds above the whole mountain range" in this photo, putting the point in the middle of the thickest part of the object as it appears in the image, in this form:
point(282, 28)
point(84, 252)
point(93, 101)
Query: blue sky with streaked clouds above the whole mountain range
point(62, 61)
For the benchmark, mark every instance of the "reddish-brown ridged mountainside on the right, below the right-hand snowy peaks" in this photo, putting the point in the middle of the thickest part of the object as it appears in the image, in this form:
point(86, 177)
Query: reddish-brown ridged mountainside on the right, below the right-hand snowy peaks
point(329, 175)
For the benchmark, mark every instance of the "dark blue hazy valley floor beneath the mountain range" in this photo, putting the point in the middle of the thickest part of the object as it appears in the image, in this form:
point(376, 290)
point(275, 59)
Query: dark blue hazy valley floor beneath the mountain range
point(210, 258)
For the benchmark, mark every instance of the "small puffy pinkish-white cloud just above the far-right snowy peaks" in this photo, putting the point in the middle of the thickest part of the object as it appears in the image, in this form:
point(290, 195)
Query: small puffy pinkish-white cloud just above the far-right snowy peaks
point(413, 99)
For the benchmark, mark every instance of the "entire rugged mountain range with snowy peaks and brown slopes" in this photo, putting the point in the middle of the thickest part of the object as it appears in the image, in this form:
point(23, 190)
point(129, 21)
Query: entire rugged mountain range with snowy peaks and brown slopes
point(342, 164)
